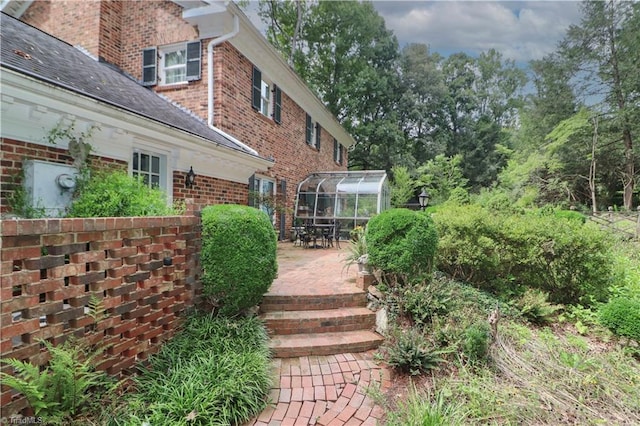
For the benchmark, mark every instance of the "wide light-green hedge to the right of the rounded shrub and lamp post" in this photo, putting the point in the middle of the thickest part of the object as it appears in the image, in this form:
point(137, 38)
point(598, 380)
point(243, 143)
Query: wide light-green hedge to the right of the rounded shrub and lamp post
point(505, 253)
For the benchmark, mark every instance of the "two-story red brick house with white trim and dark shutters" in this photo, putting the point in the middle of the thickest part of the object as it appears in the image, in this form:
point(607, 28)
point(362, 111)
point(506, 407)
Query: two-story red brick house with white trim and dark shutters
point(181, 84)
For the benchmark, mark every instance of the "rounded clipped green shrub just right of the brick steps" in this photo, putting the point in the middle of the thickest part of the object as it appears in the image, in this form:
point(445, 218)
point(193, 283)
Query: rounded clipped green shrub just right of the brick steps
point(402, 242)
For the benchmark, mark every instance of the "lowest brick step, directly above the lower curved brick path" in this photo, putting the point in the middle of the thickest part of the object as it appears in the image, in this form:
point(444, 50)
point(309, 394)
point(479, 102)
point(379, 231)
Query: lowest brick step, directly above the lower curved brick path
point(296, 345)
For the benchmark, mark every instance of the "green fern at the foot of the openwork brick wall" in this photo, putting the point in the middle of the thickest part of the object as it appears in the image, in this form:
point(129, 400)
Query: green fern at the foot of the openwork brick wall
point(64, 387)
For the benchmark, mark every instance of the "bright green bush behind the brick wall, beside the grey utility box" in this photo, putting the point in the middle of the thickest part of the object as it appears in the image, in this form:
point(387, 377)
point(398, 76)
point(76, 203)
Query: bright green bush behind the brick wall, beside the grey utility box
point(116, 194)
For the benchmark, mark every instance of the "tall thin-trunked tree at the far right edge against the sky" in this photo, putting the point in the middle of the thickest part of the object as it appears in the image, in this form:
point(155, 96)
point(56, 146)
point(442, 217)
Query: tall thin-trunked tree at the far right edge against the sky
point(604, 50)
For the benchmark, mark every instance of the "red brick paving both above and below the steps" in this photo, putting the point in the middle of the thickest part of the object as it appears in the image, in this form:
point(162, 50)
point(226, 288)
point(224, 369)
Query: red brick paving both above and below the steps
point(332, 390)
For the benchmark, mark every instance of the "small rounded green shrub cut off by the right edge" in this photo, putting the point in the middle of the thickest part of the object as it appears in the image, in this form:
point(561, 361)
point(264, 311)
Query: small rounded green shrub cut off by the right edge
point(622, 317)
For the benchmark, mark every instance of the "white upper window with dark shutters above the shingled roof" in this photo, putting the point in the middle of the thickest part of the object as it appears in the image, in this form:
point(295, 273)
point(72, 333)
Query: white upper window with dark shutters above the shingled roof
point(172, 64)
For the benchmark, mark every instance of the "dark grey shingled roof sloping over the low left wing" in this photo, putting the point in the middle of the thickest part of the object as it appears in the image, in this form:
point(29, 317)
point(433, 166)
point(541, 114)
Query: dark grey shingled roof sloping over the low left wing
point(32, 52)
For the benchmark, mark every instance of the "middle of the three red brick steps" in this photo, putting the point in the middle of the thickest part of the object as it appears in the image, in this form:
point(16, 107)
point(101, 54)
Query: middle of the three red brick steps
point(319, 321)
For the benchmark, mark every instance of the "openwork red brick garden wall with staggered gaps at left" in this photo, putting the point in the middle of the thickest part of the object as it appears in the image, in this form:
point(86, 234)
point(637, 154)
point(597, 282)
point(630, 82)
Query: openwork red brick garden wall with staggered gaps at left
point(50, 268)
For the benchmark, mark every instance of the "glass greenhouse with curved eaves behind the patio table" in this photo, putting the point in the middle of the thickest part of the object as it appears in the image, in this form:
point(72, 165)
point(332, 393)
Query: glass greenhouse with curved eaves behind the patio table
point(349, 197)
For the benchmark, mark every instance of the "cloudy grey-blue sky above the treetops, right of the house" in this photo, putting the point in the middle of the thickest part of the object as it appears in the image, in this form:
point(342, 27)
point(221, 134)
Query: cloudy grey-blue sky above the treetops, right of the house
point(520, 30)
